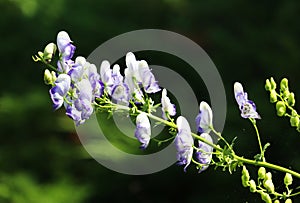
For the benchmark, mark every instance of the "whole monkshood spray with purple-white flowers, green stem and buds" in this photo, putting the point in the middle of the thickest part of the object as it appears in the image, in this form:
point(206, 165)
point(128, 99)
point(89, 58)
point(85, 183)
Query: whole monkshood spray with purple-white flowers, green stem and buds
point(81, 90)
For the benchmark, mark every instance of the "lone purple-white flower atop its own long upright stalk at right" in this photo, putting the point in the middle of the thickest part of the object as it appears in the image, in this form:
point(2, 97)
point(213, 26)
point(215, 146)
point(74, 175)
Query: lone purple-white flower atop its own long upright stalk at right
point(247, 107)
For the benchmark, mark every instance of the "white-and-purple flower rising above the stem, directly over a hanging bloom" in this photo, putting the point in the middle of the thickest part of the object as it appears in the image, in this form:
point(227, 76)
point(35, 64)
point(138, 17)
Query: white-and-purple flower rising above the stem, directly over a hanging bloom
point(204, 118)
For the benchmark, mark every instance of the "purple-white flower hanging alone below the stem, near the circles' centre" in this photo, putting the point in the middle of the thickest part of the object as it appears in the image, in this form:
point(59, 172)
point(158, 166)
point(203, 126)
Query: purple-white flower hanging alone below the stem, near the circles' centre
point(143, 129)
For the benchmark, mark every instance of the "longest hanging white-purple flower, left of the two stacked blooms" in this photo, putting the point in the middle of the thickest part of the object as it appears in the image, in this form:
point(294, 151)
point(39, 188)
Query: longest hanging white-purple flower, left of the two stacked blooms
point(184, 142)
